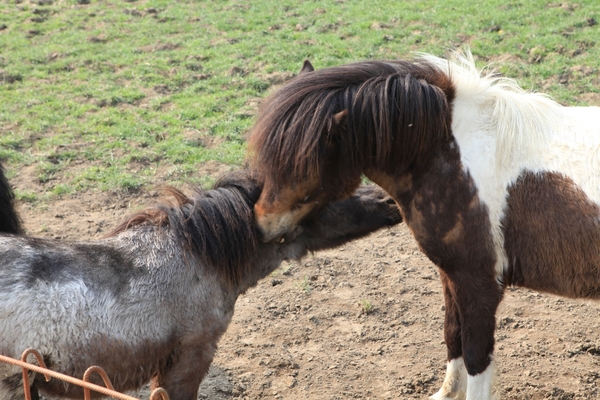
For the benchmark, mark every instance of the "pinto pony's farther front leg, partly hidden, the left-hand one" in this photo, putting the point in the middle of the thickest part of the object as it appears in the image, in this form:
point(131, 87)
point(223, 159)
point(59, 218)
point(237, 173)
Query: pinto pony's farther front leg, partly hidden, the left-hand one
point(455, 382)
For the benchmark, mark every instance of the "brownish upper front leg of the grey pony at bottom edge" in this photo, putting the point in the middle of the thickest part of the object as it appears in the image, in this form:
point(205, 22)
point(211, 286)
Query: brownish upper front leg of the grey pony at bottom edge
point(190, 365)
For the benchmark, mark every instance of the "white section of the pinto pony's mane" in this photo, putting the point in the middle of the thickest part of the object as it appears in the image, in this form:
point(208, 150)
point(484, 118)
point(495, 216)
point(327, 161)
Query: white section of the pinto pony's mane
point(520, 119)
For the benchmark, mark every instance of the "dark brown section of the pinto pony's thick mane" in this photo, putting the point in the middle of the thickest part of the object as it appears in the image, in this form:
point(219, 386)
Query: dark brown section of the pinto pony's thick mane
point(398, 112)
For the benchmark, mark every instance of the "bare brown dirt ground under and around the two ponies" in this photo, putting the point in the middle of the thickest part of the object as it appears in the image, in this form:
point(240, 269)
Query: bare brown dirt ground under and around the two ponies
point(307, 332)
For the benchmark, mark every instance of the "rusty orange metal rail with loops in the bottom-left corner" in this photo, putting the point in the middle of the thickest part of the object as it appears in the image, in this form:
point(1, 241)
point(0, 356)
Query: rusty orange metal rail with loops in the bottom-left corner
point(156, 394)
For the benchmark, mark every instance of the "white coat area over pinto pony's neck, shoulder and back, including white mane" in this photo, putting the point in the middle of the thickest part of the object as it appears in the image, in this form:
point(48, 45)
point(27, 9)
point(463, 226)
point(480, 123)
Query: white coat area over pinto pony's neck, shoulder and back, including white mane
point(502, 130)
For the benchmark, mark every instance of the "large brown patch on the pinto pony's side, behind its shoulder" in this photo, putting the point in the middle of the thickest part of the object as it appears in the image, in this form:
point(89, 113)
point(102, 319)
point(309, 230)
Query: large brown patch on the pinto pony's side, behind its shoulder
point(552, 236)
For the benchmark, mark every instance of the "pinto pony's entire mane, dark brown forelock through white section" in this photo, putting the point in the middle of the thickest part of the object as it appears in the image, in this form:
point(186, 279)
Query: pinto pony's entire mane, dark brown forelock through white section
point(397, 113)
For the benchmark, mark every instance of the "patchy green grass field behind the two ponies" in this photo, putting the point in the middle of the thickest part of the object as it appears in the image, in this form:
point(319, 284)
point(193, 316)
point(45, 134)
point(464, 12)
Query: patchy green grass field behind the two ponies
point(124, 88)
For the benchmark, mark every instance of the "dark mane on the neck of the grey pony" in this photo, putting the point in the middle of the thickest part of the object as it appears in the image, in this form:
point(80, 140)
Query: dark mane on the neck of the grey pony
point(216, 225)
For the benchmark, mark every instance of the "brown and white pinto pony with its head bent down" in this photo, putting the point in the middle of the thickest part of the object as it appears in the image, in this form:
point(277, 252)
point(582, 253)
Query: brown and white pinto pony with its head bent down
point(499, 187)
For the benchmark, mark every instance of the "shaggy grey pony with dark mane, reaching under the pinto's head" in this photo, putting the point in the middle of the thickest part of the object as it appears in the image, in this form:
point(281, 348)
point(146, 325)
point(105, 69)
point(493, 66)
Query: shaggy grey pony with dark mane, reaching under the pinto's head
point(150, 301)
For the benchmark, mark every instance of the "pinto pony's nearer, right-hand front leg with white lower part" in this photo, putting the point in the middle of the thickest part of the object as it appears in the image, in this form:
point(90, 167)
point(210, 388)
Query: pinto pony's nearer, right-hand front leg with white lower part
point(477, 296)
